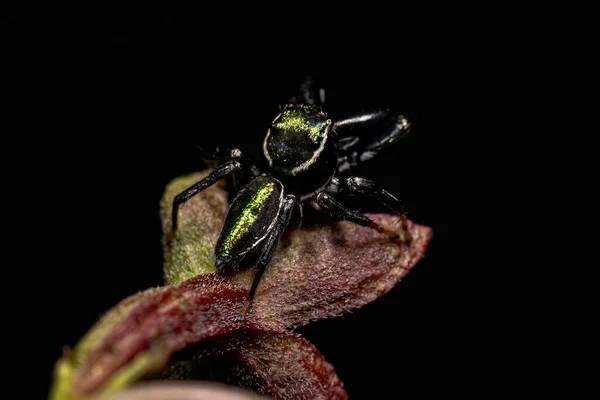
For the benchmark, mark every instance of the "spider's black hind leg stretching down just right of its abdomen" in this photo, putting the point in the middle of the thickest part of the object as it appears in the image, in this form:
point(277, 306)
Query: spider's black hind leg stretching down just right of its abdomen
point(282, 222)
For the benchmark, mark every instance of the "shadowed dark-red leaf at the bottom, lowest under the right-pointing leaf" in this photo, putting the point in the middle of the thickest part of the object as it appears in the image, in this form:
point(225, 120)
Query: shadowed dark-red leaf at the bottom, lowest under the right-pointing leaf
point(275, 363)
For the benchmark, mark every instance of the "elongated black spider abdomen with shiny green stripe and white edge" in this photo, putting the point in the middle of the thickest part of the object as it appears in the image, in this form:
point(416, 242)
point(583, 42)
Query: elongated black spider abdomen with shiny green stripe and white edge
point(251, 217)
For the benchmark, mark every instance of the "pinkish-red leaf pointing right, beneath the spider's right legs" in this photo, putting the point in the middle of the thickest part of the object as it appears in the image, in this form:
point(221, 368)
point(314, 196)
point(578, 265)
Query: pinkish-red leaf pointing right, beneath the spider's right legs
point(328, 270)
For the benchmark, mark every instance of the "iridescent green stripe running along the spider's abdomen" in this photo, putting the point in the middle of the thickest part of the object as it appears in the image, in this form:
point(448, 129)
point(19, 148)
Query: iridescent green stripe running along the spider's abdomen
point(247, 217)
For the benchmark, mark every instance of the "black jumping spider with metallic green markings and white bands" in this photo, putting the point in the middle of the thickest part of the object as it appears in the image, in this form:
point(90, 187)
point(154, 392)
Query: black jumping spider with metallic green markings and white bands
point(306, 153)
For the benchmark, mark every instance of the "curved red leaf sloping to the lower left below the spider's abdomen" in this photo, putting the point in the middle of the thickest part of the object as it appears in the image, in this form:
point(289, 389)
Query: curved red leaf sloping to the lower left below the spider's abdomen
point(177, 316)
